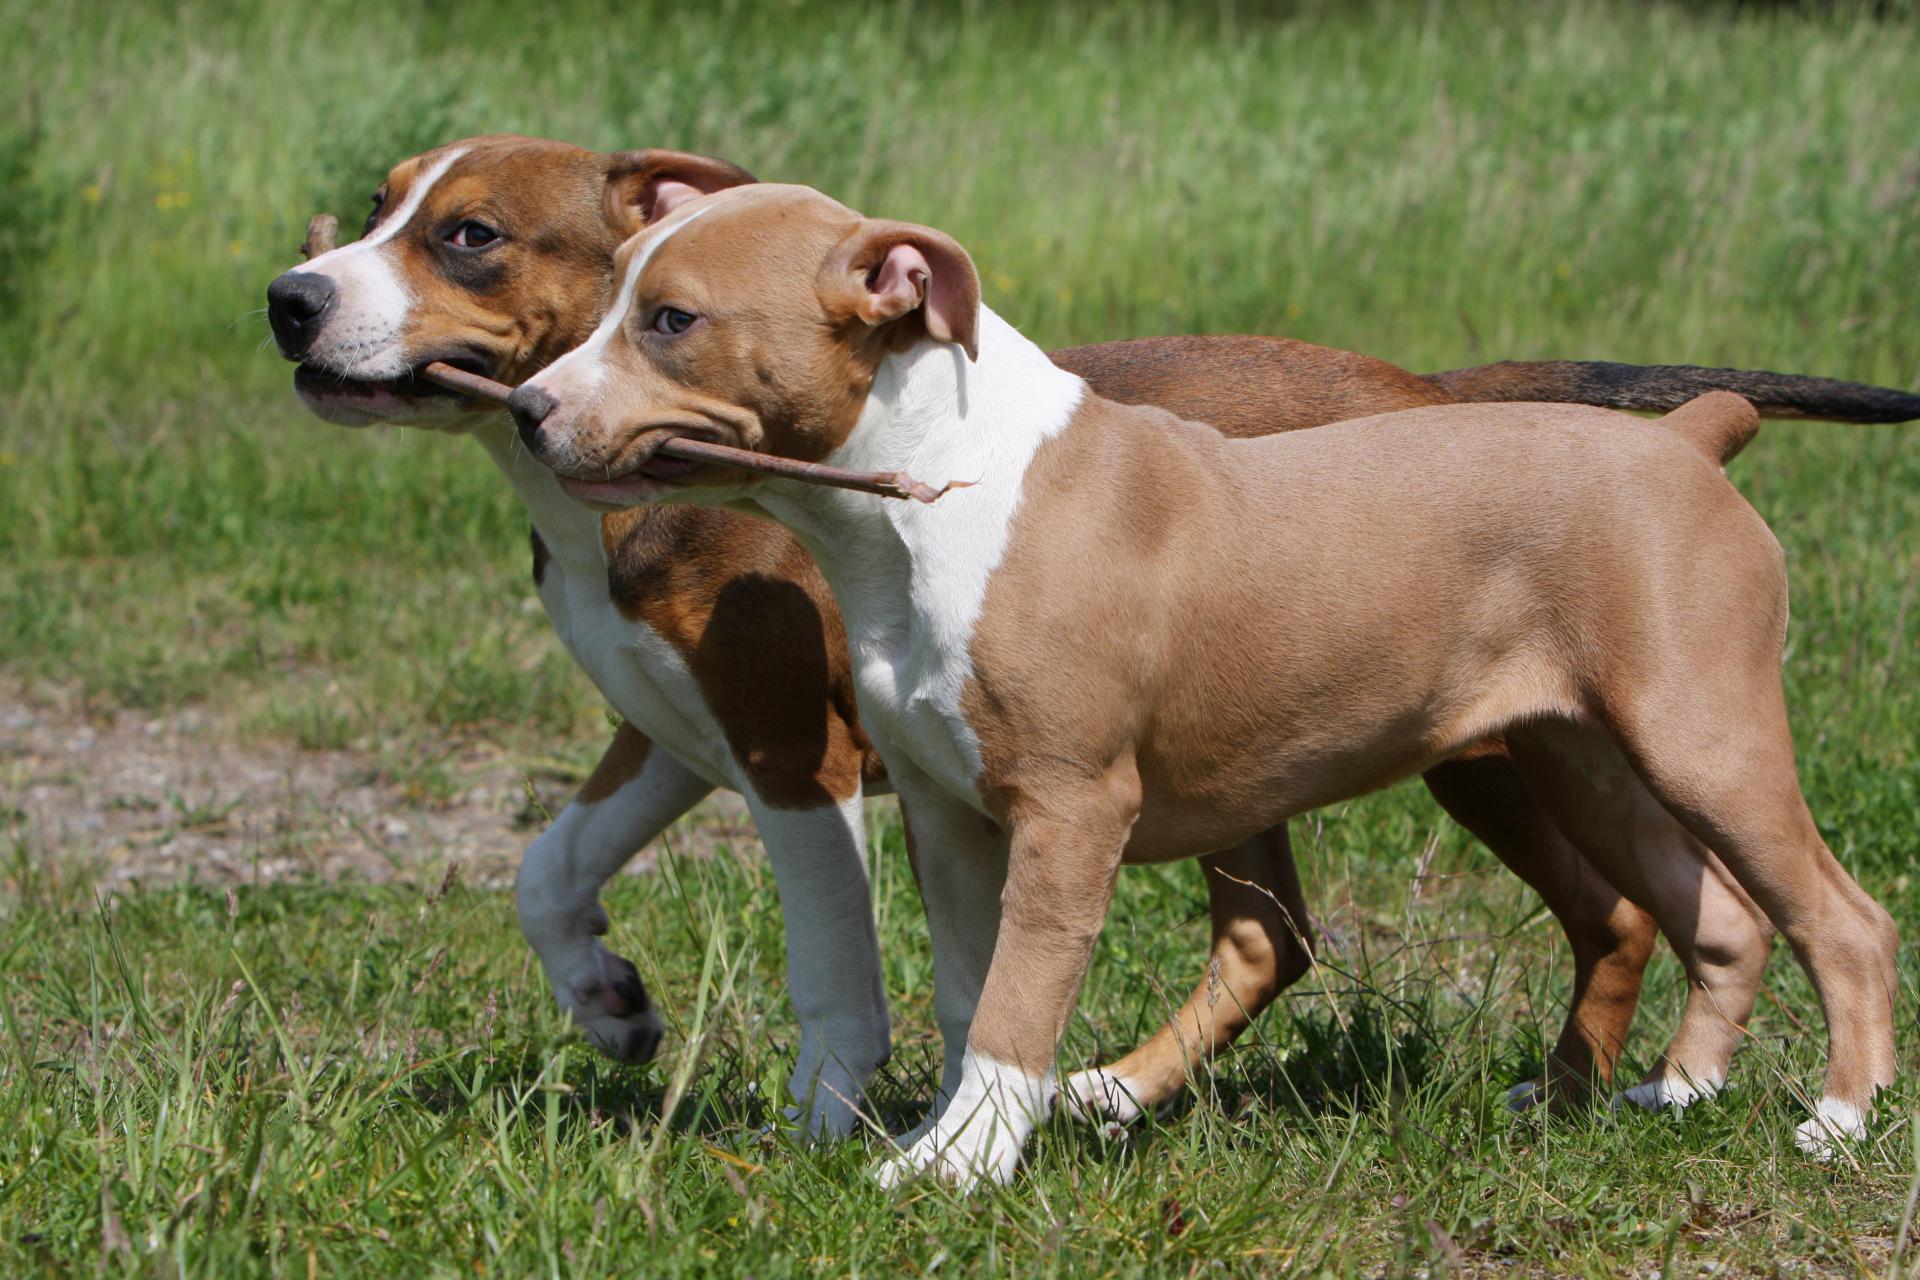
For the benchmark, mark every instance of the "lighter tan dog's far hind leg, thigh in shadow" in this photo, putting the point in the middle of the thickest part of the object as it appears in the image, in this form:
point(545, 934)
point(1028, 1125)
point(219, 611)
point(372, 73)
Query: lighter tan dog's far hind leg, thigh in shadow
point(1719, 936)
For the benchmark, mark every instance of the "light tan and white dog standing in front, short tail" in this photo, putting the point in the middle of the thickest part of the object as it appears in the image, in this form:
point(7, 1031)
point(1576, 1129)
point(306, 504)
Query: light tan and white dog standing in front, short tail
point(1134, 640)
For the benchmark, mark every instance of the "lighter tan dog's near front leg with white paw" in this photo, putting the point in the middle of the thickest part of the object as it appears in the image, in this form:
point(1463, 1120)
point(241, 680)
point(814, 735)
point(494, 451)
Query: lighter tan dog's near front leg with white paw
point(1061, 872)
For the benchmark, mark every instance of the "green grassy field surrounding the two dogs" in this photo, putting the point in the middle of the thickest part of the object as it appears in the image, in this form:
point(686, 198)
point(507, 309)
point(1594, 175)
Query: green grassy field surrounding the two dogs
point(339, 1078)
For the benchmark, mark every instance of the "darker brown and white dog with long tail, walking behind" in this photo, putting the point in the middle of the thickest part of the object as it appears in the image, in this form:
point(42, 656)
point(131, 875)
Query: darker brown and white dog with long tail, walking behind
point(496, 254)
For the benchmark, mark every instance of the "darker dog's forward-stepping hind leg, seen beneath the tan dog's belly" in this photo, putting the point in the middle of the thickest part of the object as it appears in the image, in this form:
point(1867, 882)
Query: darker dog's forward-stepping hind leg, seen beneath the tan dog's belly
point(1260, 947)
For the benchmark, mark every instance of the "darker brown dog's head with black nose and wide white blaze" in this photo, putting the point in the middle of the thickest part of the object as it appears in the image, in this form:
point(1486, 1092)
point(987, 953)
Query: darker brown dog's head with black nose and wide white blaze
point(491, 254)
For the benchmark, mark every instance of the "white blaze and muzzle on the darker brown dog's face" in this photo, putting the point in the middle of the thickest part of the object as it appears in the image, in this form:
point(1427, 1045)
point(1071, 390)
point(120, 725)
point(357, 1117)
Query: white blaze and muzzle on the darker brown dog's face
point(362, 337)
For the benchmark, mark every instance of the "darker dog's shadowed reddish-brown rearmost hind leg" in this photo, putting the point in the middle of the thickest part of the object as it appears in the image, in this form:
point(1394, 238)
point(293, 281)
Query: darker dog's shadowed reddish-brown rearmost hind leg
point(1610, 937)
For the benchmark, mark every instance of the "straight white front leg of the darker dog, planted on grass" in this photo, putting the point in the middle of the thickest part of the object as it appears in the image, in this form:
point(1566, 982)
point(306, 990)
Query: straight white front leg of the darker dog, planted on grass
point(834, 972)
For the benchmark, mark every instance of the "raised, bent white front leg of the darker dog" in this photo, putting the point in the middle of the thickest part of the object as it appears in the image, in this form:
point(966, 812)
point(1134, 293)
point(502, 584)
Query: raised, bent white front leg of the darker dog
point(631, 797)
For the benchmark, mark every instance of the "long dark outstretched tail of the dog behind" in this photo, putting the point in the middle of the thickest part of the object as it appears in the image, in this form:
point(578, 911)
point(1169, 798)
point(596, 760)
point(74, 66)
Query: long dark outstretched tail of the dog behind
point(1669, 387)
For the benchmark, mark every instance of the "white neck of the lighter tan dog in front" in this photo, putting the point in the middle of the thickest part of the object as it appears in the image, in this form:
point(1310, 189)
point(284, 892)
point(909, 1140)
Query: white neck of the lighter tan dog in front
point(907, 567)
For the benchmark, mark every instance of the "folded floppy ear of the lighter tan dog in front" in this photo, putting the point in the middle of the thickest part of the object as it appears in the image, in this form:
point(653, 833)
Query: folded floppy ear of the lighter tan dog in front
point(892, 272)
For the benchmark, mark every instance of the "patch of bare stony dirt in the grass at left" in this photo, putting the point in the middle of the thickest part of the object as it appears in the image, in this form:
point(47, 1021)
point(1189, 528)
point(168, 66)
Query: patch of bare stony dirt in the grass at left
point(155, 797)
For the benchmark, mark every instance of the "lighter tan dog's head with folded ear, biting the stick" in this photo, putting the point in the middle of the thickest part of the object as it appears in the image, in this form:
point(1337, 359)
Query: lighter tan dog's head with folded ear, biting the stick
point(756, 318)
